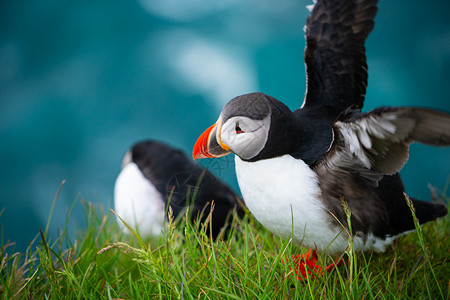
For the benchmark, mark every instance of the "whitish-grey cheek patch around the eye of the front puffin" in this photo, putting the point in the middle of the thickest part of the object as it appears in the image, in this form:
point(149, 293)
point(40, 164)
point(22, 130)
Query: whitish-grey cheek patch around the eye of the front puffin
point(251, 141)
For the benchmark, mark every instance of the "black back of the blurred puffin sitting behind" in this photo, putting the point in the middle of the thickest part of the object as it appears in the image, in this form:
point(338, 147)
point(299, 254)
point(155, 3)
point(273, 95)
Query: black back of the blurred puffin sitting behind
point(184, 184)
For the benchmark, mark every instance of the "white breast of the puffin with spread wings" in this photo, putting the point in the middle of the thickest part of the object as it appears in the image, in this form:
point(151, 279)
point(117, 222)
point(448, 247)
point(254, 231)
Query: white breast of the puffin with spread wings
point(282, 193)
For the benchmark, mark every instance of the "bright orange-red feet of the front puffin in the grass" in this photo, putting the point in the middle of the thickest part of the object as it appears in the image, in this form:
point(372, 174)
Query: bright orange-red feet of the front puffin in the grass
point(307, 264)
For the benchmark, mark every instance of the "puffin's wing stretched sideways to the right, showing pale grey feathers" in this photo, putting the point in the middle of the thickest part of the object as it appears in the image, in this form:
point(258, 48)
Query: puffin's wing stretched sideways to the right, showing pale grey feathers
point(379, 140)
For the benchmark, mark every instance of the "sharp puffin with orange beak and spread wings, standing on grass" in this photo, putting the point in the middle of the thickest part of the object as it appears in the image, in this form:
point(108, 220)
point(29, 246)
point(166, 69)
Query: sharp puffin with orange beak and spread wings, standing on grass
point(297, 169)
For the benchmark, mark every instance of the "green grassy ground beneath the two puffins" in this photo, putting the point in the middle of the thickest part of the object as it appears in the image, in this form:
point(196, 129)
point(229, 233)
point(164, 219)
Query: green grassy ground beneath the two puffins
point(252, 263)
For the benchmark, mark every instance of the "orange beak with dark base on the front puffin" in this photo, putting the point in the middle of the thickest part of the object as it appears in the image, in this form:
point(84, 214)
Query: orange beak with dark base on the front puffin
point(207, 145)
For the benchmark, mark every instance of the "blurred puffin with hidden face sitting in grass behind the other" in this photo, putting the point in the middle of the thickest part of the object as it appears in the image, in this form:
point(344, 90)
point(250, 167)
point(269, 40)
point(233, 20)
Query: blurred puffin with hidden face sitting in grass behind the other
point(156, 176)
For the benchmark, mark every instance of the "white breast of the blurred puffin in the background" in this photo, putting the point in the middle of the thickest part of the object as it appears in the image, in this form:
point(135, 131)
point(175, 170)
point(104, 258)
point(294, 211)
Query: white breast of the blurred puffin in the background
point(138, 202)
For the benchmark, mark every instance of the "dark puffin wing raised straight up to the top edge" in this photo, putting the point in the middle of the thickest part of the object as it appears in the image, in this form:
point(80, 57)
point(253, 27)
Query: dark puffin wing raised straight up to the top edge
point(336, 67)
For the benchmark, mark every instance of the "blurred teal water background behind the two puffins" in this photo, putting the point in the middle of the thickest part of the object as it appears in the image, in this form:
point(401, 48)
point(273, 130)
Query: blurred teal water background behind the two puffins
point(80, 81)
